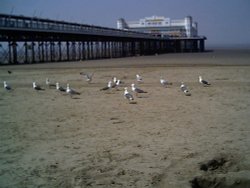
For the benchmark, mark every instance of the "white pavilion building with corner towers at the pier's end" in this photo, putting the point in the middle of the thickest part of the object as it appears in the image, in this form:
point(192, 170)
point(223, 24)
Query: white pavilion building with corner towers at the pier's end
point(159, 25)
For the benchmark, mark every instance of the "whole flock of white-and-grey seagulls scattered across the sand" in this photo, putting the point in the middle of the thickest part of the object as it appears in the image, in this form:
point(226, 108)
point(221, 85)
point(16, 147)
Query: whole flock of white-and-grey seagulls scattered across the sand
point(115, 83)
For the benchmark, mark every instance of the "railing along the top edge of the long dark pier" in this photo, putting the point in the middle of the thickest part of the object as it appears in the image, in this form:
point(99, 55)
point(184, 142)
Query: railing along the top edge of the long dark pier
point(22, 23)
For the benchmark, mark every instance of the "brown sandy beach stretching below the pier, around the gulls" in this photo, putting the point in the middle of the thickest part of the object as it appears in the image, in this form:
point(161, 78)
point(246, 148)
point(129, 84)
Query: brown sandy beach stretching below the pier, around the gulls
point(98, 139)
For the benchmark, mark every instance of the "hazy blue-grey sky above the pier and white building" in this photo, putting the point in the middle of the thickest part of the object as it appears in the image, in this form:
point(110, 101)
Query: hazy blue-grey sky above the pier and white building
point(223, 22)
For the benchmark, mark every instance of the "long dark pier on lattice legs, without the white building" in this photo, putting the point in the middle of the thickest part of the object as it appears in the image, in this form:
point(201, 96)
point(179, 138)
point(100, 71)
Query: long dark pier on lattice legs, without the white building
point(33, 40)
